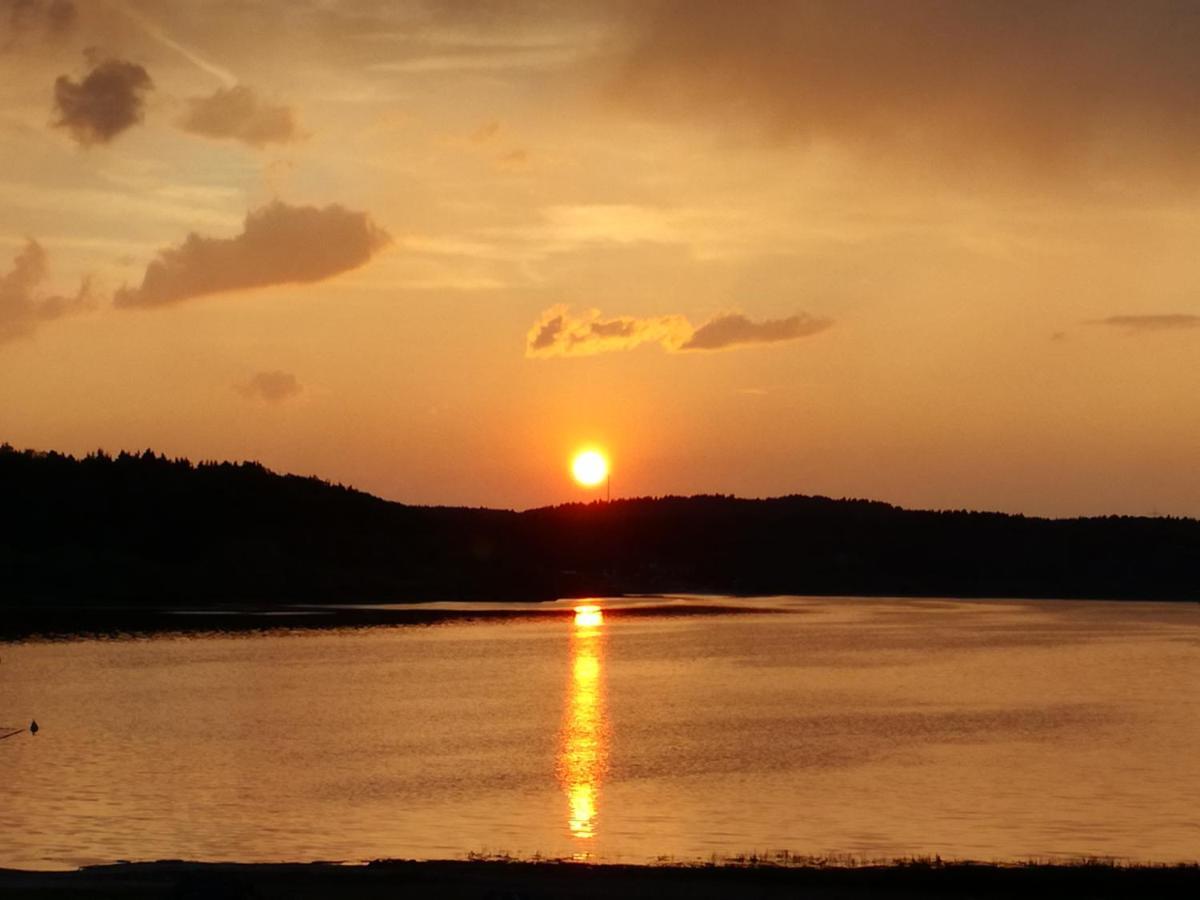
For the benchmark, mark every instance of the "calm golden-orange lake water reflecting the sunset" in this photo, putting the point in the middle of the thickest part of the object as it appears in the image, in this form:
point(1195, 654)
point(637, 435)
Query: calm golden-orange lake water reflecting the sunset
point(868, 728)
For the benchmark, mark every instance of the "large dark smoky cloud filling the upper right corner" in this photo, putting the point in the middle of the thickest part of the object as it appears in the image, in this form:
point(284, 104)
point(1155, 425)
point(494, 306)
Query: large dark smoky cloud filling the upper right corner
point(1048, 87)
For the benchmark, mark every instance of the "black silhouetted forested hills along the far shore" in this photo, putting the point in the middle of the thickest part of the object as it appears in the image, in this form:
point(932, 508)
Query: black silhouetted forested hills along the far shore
point(149, 531)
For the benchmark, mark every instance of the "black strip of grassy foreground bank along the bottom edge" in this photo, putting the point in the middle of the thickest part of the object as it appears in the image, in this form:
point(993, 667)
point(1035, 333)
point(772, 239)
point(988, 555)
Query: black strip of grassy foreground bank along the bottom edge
point(496, 880)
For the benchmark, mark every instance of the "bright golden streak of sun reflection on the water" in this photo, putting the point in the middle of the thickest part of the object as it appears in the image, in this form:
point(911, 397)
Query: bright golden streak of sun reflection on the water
point(584, 747)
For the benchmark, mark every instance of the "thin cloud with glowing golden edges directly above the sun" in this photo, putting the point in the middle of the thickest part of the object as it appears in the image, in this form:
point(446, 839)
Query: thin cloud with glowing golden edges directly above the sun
point(561, 334)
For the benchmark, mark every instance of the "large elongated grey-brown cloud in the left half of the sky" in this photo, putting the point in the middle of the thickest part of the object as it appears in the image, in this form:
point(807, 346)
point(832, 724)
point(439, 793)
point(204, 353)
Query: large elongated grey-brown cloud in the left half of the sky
point(279, 245)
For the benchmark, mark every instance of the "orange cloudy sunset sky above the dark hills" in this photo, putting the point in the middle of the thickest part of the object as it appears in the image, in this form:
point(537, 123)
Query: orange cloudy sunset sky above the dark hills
point(940, 254)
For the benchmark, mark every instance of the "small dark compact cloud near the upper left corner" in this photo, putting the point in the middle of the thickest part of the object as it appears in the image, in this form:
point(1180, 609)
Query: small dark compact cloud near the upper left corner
point(105, 104)
